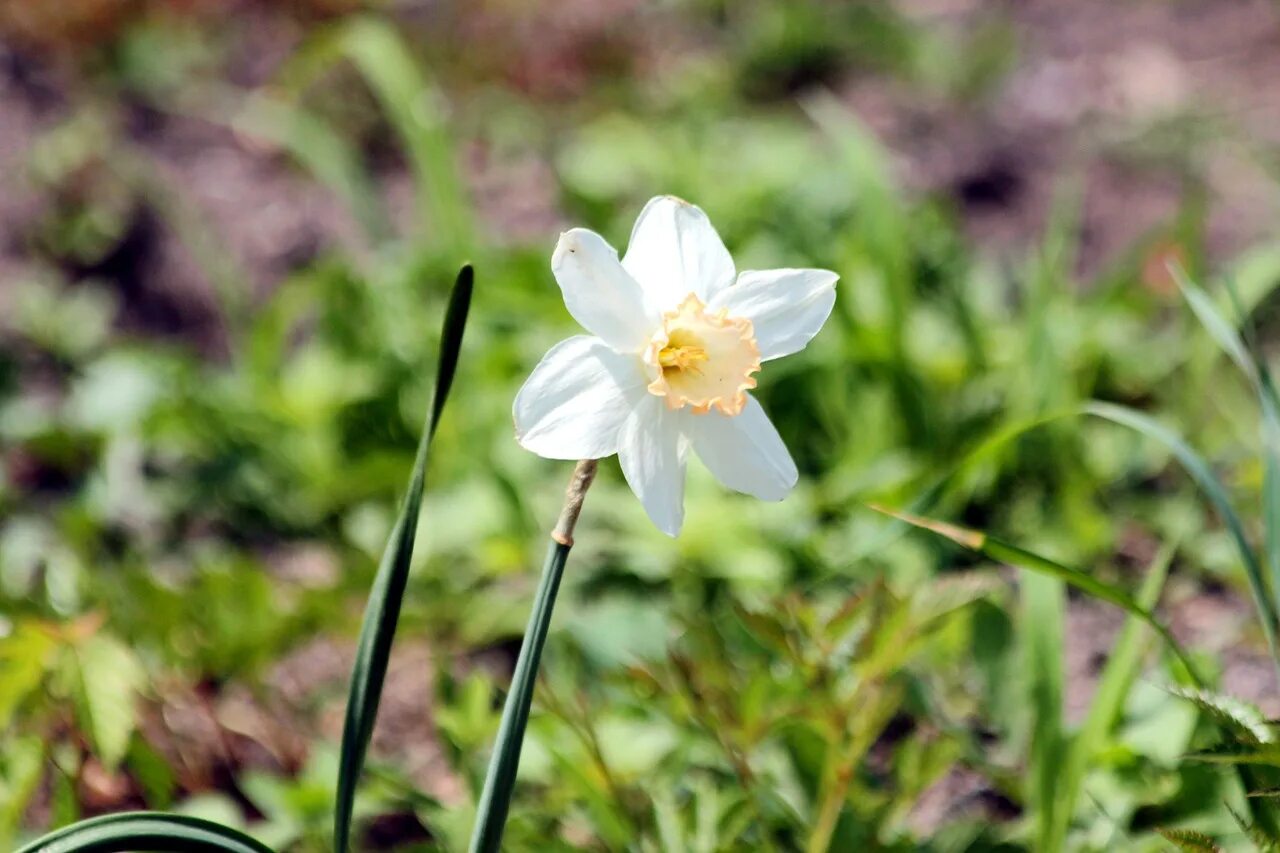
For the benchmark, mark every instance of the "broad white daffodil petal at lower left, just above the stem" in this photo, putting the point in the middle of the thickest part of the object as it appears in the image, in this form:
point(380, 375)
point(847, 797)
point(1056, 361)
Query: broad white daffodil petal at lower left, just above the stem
point(578, 399)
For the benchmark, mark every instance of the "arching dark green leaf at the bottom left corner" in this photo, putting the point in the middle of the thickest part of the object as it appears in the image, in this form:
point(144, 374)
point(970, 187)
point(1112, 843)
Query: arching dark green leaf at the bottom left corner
point(147, 833)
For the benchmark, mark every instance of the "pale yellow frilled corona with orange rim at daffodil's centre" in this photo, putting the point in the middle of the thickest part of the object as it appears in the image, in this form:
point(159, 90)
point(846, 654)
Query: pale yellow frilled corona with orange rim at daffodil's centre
point(703, 361)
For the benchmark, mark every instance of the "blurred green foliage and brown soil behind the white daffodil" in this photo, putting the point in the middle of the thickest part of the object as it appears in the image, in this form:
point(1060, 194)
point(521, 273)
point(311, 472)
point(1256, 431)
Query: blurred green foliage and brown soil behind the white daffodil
point(227, 231)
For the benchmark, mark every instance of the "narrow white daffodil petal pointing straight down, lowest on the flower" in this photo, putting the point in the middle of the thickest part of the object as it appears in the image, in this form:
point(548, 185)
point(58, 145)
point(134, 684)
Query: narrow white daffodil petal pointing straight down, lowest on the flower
point(652, 455)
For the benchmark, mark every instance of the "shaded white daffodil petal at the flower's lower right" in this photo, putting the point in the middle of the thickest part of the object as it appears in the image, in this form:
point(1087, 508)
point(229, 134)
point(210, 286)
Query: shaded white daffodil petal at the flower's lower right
point(744, 451)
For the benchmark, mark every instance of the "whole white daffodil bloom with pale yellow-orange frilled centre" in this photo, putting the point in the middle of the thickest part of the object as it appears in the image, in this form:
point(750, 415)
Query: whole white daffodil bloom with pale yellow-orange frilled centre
point(676, 341)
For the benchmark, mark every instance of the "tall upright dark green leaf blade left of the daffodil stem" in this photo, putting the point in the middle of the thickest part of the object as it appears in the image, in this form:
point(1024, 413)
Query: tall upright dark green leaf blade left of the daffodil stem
point(388, 591)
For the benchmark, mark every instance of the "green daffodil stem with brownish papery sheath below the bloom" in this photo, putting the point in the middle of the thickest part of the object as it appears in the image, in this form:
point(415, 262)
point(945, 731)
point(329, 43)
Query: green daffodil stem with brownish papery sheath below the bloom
point(501, 778)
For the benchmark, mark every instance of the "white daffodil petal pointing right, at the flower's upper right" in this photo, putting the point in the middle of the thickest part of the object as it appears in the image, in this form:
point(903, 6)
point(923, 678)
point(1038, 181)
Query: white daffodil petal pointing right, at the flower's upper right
point(787, 307)
